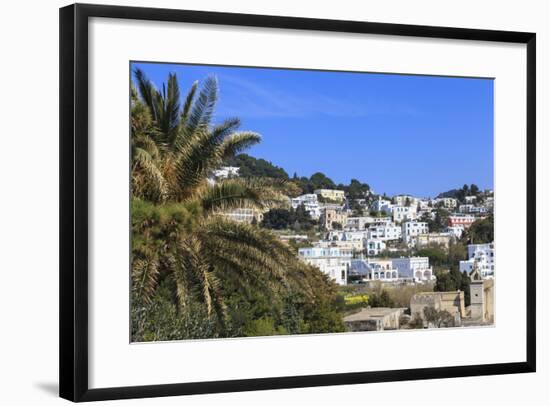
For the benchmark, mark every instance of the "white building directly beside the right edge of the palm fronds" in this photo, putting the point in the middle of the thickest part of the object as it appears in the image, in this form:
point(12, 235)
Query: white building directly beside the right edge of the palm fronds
point(332, 261)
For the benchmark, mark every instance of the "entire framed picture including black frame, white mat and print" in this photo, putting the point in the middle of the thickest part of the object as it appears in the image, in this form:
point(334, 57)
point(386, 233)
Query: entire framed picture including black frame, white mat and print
point(258, 202)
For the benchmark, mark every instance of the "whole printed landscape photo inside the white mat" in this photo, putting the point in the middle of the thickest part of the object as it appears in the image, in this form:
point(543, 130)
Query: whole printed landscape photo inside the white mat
point(269, 201)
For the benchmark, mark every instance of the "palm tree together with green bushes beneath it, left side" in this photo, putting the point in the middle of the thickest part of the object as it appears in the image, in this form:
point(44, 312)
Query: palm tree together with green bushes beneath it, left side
point(195, 273)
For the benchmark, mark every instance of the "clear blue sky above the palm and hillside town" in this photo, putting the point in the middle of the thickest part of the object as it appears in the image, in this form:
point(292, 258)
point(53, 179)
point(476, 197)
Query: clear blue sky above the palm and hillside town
point(399, 133)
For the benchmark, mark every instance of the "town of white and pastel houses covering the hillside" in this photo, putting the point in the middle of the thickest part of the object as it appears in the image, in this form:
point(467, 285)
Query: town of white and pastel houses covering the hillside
point(374, 246)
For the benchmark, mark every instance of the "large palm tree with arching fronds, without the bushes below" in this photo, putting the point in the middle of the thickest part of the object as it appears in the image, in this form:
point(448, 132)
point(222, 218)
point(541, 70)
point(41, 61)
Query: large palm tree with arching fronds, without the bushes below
point(180, 232)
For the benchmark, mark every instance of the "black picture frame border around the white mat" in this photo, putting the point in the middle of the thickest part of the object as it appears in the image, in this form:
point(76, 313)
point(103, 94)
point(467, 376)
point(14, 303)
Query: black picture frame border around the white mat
point(73, 333)
